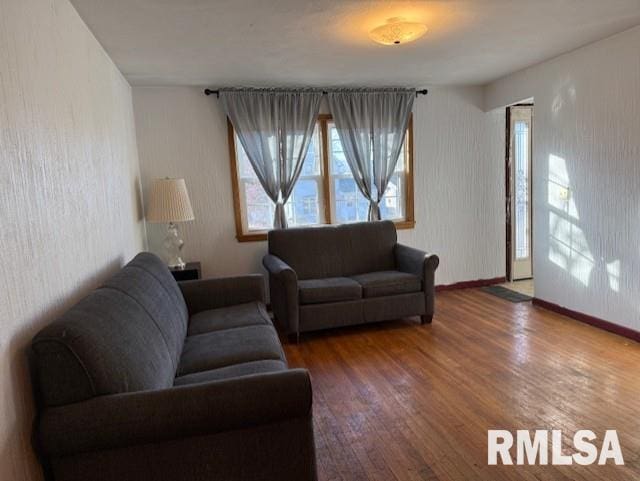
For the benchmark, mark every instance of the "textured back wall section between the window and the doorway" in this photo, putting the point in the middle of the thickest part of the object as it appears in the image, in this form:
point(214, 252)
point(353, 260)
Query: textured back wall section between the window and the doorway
point(459, 185)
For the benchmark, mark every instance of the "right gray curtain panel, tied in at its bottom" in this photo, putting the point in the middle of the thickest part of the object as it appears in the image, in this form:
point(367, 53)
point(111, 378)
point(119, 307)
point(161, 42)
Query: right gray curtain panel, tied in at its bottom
point(372, 125)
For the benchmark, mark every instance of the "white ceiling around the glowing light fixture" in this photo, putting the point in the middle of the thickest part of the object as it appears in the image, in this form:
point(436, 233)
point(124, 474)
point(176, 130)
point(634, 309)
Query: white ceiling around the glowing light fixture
point(325, 42)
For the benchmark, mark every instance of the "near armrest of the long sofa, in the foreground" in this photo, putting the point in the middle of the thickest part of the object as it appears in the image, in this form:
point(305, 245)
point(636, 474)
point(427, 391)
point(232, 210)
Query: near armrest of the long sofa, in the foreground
point(121, 420)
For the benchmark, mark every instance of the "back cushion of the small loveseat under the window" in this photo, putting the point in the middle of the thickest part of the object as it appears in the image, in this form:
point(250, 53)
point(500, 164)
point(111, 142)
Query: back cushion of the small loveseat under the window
point(336, 250)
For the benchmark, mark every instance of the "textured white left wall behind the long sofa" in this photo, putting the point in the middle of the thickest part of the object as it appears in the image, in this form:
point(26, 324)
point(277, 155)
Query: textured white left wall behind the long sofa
point(69, 199)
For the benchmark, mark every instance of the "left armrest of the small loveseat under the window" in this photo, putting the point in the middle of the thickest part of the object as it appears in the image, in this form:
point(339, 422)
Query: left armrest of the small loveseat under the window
point(283, 290)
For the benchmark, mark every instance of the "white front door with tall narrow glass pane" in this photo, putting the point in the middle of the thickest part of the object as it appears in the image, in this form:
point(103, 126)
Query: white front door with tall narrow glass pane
point(521, 130)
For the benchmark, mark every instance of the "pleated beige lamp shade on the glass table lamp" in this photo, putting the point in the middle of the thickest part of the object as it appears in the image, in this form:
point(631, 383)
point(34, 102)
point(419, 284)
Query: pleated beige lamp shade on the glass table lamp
point(169, 202)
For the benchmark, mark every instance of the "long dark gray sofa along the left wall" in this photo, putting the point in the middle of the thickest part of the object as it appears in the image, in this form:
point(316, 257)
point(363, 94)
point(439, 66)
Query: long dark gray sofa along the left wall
point(148, 379)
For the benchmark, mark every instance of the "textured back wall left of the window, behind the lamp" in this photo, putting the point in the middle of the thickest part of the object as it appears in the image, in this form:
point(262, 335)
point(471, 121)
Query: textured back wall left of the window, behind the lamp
point(183, 133)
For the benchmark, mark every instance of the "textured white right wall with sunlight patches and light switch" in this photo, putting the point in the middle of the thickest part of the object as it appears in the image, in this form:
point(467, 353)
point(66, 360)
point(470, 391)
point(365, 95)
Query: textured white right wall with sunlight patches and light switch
point(587, 140)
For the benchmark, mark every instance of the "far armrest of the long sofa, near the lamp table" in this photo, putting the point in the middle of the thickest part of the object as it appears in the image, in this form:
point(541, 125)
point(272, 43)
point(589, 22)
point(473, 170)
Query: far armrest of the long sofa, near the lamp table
point(201, 295)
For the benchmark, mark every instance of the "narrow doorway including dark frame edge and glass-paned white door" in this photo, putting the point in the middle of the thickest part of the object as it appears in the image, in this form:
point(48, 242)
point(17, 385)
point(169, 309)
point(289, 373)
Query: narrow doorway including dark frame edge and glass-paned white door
point(519, 149)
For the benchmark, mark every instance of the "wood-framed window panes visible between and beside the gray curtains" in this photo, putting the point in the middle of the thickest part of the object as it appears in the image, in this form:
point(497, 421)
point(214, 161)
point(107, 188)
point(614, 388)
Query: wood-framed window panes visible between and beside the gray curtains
point(325, 191)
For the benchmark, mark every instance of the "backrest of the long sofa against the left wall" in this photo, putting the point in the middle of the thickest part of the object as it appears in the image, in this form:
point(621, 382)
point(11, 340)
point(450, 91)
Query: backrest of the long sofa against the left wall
point(125, 336)
